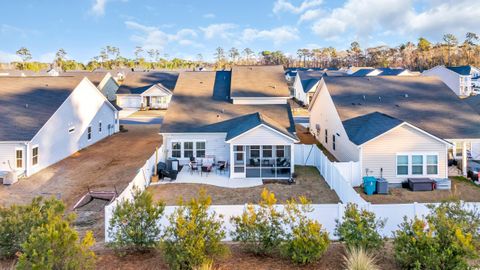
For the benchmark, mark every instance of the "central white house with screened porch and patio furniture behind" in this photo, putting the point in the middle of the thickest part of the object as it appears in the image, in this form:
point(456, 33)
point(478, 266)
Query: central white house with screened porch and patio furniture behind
point(254, 135)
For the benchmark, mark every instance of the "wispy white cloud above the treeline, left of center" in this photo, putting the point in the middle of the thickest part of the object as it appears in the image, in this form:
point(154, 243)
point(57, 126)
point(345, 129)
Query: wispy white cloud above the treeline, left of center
point(151, 37)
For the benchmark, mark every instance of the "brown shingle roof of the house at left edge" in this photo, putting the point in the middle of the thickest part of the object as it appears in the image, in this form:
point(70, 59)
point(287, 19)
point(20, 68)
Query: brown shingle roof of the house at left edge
point(27, 103)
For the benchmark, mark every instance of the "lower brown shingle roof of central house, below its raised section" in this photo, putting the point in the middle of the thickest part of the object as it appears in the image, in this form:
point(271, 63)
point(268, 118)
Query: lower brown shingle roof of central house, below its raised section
point(201, 104)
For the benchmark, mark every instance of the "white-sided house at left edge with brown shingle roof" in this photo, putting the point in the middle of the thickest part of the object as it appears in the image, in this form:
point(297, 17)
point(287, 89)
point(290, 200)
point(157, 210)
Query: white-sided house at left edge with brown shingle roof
point(46, 119)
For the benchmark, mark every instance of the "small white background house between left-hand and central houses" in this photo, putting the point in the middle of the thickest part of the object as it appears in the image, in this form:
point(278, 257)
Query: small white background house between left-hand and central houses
point(152, 90)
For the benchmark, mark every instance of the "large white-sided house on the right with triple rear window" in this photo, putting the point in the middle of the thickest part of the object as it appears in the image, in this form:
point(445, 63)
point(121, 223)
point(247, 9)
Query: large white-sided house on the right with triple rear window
point(396, 127)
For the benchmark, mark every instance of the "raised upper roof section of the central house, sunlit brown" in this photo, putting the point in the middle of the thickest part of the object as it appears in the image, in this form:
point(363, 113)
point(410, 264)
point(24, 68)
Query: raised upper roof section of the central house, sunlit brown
point(258, 81)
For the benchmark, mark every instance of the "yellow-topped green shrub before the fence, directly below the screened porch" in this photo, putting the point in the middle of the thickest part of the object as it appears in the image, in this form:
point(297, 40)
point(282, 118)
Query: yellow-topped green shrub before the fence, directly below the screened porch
point(260, 229)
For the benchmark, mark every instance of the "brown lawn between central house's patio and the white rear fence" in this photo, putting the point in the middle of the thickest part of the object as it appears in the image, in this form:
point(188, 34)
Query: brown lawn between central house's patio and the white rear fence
point(309, 183)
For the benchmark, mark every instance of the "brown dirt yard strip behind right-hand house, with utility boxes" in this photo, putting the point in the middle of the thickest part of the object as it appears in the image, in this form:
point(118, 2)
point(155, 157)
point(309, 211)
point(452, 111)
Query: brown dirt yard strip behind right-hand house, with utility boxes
point(461, 189)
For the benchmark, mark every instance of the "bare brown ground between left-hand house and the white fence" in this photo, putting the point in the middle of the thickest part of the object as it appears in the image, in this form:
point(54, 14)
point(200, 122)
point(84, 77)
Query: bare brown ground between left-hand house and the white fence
point(108, 165)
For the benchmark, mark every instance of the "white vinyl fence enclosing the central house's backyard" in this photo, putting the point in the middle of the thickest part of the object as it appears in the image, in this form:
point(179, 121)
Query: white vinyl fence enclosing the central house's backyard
point(326, 214)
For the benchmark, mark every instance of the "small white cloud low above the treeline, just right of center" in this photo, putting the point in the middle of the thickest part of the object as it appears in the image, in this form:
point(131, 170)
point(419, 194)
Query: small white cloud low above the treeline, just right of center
point(278, 36)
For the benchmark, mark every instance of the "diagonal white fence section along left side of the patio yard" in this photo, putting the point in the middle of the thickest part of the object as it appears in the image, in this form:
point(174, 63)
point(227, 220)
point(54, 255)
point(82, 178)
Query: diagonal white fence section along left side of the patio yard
point(140, 182)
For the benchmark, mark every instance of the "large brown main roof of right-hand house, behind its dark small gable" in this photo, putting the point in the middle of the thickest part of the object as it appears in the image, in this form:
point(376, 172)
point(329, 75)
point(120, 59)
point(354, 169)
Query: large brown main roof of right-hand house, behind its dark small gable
point(425, 102)
